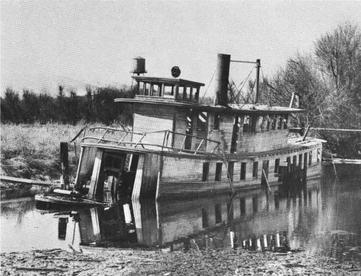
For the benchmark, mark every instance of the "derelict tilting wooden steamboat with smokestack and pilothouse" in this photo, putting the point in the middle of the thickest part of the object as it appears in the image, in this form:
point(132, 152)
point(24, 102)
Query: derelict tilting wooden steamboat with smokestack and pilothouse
point(179, 147)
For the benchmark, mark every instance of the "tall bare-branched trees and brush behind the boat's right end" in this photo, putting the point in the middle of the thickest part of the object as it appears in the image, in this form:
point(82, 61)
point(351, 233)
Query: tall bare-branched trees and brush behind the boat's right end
point(327, 82)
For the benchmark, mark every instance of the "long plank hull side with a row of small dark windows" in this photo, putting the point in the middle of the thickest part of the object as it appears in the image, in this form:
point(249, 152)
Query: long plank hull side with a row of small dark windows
point(173, 176)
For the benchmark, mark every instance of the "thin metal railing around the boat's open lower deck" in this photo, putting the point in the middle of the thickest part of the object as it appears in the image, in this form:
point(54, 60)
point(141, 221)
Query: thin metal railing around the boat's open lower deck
point(164, 142)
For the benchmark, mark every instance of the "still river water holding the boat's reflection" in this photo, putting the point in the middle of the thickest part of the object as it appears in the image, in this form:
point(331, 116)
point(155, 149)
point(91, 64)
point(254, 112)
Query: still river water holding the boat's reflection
point(324, 215)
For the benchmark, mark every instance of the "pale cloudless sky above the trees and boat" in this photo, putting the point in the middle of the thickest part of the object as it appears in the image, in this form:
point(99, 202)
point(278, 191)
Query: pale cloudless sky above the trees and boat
point(79, 43)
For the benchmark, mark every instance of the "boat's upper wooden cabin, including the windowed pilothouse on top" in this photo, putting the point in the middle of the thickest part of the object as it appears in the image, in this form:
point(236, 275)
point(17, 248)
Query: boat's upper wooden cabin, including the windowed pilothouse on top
point(173, 104)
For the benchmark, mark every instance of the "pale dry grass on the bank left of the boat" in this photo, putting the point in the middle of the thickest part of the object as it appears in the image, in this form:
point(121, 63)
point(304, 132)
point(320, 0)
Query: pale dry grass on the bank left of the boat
point(32, 151)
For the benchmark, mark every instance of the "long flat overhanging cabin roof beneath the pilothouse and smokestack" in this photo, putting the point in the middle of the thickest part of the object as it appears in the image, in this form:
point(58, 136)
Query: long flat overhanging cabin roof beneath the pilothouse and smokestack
point(232, 108)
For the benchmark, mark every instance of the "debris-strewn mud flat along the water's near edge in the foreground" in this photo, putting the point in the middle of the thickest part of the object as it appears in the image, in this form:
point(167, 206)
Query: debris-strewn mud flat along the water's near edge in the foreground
point(112, 261)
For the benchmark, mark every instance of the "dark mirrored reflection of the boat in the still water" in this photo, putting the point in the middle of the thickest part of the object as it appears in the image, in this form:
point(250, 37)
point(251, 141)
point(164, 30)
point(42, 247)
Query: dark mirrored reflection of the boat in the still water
point(259, 219)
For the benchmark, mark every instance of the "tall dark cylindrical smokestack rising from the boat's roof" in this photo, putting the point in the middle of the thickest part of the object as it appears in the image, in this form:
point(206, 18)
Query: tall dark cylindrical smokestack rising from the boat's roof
point(222, 75)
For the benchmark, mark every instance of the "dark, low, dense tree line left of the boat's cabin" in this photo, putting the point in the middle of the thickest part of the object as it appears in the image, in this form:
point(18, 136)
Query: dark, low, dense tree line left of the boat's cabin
point(96, 106)
